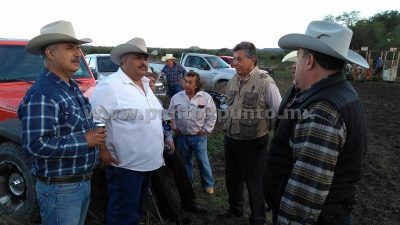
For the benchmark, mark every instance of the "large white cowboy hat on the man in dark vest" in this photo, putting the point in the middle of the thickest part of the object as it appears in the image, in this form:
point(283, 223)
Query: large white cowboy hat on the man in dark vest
point(326, 37)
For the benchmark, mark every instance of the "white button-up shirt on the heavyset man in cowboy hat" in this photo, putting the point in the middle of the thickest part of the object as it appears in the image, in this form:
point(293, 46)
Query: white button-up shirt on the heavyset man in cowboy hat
point(133, 121)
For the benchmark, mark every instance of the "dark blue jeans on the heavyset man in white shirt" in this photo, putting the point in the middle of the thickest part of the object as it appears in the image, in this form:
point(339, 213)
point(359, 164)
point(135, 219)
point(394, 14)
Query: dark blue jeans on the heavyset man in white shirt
point(126, 191)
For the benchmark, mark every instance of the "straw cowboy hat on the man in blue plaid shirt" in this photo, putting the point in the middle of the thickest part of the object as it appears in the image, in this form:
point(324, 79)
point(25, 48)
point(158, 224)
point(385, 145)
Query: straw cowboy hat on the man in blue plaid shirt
point(56, 32)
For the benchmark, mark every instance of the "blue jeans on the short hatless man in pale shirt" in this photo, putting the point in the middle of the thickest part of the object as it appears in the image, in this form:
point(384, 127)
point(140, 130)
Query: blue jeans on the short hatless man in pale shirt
point(196, 144)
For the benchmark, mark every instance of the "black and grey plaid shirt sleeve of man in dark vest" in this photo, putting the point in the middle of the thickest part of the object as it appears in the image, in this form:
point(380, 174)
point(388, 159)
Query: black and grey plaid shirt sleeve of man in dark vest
point(318, 139)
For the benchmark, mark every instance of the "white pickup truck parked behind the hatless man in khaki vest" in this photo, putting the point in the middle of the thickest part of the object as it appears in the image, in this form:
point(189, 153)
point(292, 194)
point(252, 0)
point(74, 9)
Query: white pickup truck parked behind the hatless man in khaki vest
point(214, 72)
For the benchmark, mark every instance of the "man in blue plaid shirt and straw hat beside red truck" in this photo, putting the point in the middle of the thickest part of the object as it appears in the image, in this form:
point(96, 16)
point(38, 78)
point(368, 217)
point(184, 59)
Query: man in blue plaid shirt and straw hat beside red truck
point(57, 128)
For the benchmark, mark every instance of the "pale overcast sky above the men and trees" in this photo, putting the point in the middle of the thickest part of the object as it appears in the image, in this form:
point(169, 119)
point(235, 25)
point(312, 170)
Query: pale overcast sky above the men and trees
point(179, 23)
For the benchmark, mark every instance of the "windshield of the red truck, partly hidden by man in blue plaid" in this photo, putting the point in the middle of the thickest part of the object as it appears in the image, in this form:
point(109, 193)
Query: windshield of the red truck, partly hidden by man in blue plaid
point(16, 63)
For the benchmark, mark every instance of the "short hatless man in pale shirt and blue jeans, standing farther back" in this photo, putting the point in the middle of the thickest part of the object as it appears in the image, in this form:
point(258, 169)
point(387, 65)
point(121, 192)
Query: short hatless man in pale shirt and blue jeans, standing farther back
point(194, 115)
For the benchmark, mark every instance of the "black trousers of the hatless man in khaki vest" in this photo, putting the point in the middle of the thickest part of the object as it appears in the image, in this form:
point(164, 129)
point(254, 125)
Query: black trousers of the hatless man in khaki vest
point(244, 165)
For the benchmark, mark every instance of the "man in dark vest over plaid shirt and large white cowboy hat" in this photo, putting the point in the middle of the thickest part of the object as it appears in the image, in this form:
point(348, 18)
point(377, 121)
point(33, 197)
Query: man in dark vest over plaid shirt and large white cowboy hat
point(319, 142)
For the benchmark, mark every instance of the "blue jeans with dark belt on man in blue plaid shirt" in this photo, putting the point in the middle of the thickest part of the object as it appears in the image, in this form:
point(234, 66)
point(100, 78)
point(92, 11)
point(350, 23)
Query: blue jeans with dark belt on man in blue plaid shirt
point(63, 204)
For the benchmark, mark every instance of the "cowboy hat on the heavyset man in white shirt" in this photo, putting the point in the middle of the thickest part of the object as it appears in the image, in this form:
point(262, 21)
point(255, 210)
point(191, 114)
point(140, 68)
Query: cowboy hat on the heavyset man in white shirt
point(136, 45)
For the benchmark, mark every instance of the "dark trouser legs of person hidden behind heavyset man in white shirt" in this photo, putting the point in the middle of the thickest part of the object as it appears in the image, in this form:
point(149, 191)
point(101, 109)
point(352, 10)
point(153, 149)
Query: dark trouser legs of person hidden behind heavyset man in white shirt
point(163, 191)
